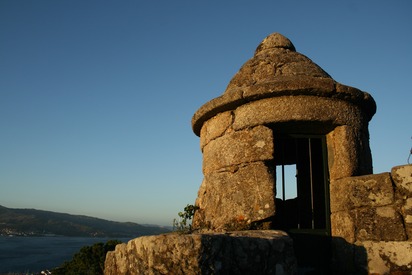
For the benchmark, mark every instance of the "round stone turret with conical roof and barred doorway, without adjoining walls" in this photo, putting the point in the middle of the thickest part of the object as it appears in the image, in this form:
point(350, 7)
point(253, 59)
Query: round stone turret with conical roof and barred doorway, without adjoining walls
point(281, 112)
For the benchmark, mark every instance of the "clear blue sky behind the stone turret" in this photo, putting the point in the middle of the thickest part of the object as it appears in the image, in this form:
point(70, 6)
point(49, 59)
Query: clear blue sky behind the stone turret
point(96, 97)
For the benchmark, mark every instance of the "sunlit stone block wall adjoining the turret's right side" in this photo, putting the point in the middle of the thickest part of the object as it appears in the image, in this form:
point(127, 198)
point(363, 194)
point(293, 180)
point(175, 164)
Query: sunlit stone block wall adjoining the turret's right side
point(374, 212)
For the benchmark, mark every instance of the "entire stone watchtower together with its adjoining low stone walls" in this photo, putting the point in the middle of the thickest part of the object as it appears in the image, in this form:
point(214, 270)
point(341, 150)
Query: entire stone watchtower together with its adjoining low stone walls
point(285, 147)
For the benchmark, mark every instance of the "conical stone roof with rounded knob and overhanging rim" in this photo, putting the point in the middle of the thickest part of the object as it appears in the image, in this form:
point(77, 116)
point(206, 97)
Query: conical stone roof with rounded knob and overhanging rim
point(276, 69)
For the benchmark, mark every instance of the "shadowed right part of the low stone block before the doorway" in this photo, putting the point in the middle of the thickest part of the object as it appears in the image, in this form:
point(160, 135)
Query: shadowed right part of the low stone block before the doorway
point(265, 253)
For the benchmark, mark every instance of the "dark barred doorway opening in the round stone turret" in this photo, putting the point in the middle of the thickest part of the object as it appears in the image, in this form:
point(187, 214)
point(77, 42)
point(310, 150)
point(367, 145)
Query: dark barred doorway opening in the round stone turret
point(302, 199)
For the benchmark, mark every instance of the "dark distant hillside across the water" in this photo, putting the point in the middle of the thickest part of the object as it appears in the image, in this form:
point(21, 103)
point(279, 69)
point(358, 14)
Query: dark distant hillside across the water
point(32, 222)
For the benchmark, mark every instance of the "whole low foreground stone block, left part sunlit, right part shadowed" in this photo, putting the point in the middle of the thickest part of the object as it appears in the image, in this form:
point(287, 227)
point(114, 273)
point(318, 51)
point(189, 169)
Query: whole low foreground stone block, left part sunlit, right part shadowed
point(243, 252)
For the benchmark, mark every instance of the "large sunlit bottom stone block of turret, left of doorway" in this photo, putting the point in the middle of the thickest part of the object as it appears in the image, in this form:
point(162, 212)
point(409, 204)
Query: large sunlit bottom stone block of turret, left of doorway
point(248, 197)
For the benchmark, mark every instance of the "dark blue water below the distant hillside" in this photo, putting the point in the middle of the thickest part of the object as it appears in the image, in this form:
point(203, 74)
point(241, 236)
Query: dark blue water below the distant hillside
point(35, 254)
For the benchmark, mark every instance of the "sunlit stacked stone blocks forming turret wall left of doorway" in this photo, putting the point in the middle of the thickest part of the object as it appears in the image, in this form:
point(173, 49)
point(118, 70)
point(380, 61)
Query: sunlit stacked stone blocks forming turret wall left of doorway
point(238, 187)
